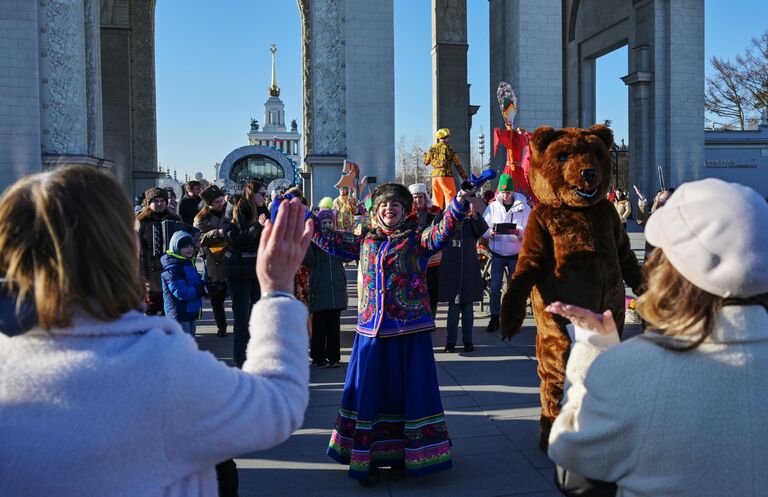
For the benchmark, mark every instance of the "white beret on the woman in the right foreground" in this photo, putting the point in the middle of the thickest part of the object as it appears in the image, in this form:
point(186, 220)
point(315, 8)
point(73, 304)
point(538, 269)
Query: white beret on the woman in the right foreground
point(716, 235)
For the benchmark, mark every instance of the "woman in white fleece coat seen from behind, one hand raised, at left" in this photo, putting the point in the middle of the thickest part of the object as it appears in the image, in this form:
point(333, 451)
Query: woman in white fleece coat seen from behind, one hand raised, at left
point(98, 399)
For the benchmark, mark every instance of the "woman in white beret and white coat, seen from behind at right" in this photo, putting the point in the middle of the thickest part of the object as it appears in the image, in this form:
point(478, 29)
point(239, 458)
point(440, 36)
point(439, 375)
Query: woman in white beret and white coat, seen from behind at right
point(678, 410)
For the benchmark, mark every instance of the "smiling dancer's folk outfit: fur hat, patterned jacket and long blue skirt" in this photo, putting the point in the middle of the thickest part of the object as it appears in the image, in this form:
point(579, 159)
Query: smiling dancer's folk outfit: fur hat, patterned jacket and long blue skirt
point(391, 413)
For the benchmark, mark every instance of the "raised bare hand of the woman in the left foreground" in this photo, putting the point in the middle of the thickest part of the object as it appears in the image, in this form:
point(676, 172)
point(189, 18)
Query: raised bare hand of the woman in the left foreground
point(283, 246)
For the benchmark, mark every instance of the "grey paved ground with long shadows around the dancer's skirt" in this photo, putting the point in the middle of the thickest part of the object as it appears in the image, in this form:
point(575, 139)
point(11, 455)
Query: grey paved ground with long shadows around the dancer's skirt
point(491, 399)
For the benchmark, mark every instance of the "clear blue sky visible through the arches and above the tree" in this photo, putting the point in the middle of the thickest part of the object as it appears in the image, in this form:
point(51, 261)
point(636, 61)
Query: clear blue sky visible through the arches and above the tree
point(213, 70)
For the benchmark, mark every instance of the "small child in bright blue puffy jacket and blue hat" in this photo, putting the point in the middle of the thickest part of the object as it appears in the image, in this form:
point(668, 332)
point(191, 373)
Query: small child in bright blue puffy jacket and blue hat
point(182, 285)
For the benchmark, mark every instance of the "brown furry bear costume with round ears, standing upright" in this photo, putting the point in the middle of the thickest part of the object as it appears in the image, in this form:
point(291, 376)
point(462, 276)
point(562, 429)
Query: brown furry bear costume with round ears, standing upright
point(574, 250)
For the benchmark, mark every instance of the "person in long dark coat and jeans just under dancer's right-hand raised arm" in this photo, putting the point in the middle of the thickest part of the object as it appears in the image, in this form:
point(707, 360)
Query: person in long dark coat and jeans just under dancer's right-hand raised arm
point(460, 280)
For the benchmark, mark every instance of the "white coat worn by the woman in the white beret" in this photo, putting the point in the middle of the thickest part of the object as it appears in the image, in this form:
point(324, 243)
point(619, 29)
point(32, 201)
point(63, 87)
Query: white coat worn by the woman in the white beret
point(662, 423)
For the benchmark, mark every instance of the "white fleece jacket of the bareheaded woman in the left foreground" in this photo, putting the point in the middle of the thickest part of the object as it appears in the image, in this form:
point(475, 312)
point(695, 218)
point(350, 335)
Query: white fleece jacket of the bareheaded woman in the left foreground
point(133, 408)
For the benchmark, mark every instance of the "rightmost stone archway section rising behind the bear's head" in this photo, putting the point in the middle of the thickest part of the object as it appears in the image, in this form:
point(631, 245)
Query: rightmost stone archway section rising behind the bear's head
point(666, 86)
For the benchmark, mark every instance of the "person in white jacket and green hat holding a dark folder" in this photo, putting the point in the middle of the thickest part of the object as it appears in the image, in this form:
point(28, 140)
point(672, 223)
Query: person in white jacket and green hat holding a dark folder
point(509, 207)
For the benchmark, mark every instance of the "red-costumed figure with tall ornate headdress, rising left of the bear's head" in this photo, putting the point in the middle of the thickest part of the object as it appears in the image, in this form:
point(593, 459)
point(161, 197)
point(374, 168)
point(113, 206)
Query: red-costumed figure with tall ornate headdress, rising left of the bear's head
point(514, 140)
